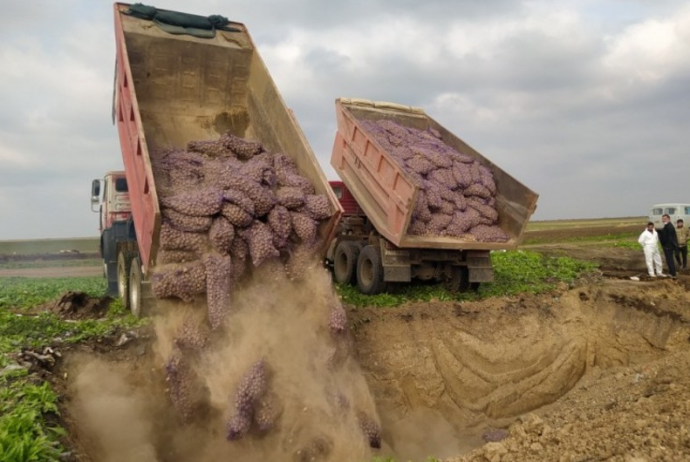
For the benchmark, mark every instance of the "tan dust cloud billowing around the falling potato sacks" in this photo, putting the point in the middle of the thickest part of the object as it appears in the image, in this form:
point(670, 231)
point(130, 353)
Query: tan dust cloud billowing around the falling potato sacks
point(125, 412)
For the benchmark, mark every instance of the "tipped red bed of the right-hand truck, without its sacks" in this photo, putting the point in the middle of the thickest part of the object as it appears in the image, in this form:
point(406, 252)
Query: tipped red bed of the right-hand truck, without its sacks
point(387, 195)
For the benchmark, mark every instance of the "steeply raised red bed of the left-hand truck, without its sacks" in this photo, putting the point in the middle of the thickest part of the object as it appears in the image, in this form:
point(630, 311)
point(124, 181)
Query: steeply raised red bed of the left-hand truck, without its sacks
point(172, 89)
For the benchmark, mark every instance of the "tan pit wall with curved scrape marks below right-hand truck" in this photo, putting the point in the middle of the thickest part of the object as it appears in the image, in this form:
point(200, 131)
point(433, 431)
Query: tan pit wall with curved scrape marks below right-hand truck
point(479, 365)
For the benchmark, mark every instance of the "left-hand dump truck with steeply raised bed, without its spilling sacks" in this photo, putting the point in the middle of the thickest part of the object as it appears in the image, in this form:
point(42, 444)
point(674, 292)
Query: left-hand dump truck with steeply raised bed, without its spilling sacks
point(177, 81)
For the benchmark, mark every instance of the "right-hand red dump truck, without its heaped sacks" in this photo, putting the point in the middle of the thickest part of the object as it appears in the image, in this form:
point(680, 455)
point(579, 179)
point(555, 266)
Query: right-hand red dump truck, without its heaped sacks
point(373, 246)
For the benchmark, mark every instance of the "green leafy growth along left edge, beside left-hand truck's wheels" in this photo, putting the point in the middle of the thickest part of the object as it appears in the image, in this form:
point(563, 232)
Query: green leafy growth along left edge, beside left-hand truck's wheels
point(28, 405)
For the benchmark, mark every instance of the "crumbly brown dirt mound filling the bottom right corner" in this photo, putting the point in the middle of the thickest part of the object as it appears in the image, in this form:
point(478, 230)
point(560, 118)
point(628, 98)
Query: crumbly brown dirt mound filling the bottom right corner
point(632, 414)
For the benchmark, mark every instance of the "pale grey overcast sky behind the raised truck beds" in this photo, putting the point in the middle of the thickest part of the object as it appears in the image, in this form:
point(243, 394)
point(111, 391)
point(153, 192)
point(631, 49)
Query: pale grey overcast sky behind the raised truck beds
point(586, 102)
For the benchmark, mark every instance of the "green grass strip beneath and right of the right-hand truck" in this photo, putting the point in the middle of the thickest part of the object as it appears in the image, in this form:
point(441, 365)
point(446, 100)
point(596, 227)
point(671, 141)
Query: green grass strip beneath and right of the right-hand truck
point(515, 272)
